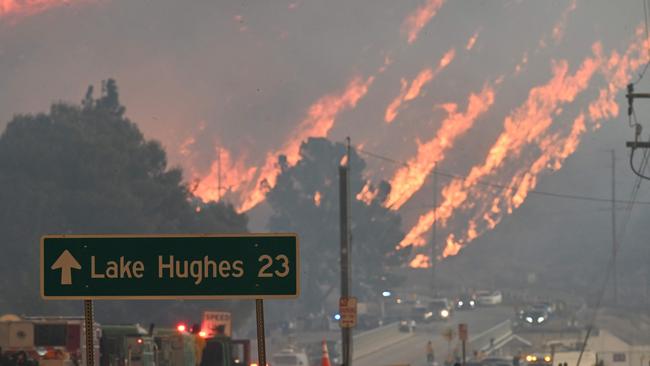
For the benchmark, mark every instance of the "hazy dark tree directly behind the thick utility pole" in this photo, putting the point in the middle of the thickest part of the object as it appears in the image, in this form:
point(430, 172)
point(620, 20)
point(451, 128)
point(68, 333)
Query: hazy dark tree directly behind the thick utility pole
point(296, 208)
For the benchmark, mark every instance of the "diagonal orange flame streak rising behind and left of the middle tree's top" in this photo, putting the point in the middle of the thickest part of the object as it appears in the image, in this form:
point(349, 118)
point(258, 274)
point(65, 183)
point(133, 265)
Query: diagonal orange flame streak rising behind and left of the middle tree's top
point(320, 119)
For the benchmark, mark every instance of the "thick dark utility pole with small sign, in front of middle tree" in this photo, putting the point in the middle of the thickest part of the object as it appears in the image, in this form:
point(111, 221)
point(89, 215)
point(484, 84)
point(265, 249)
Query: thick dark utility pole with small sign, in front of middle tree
point(346, 255)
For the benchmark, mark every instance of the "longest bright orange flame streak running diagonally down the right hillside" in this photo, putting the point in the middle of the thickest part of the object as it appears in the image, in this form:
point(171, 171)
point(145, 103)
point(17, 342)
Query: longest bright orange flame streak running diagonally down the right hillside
point(524, 125)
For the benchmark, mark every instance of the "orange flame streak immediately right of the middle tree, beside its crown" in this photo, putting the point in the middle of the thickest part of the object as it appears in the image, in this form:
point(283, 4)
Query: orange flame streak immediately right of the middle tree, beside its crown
point(409, 179)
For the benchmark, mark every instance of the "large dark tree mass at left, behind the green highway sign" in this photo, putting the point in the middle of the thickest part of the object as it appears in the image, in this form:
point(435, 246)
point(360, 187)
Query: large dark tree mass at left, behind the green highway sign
point(88, 169)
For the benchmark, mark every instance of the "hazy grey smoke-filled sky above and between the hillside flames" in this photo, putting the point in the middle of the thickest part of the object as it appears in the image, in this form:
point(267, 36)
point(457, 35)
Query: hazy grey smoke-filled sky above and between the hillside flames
point(242, 74)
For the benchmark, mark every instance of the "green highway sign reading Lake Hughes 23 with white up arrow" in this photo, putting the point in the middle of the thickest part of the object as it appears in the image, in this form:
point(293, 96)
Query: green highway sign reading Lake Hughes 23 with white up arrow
point(246, 266)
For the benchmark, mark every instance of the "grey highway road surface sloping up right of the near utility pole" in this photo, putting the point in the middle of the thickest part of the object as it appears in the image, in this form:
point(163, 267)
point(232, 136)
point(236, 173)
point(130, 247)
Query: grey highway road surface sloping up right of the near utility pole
point(412, 351)
